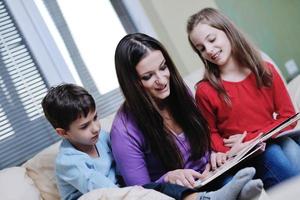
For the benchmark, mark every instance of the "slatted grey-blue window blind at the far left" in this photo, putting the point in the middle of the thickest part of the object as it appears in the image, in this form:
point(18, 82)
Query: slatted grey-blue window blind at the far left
point(24, 130)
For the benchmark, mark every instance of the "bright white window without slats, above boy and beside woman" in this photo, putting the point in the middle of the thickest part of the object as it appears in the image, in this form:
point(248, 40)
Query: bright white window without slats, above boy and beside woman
point(87, 32)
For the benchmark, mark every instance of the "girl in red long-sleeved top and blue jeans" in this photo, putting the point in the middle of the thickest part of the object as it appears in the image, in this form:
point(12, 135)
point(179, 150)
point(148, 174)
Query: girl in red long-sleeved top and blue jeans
point(240, 94)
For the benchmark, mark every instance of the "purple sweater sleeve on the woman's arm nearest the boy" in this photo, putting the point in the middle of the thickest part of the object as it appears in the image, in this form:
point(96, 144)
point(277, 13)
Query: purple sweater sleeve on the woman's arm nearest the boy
point(128, 150)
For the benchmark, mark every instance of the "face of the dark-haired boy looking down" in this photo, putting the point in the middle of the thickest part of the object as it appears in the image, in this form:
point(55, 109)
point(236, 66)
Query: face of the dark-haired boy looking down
point(84, 131)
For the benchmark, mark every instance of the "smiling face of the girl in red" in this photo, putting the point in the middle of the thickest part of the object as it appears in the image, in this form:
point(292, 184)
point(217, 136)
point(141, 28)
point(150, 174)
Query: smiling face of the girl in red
point(213, 44)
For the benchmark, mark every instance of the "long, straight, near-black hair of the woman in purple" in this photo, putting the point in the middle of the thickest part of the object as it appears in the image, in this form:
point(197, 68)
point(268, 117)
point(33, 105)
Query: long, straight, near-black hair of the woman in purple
point(129, 52)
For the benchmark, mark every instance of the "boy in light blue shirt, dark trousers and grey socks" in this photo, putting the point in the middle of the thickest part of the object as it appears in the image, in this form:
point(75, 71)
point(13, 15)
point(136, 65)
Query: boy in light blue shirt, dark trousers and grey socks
point(85, 162)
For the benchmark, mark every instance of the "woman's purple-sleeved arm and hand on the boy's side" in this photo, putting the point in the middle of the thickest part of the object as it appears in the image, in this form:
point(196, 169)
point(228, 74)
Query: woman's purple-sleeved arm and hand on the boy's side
point(128, 152)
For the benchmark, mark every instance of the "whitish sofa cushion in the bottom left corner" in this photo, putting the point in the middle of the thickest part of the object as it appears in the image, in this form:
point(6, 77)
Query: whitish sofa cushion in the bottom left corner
point(16, 185)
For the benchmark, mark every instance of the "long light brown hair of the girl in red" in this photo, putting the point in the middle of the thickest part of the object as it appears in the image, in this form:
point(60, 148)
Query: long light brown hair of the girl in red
point(242, 50)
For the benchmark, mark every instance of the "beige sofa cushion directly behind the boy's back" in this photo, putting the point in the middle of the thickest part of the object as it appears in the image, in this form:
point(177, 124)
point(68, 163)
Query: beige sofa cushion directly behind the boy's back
point(41, 168)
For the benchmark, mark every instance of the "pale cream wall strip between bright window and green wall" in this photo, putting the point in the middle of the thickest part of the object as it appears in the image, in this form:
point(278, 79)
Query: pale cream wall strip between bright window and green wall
point(168, 18)
